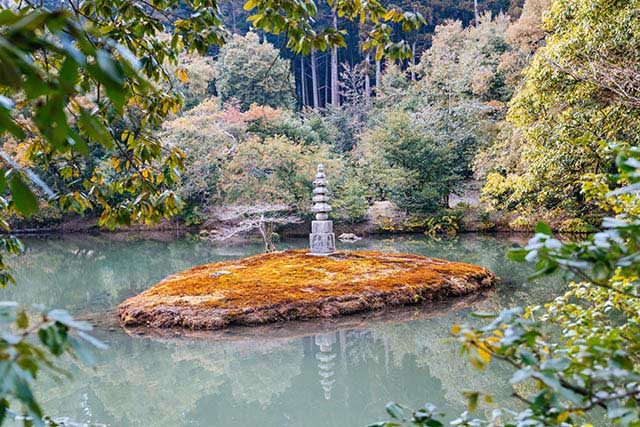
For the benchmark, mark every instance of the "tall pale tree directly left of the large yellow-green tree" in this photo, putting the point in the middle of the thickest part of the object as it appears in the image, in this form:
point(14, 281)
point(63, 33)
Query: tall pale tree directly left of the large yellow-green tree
point(459, 98)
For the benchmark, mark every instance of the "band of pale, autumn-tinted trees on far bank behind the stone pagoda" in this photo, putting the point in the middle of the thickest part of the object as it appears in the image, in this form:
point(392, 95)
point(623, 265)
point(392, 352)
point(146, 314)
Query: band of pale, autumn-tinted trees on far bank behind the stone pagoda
point(414, 143)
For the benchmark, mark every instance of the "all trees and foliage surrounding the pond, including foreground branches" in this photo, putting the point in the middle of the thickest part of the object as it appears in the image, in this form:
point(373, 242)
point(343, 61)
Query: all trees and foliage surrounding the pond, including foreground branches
point(458, 116)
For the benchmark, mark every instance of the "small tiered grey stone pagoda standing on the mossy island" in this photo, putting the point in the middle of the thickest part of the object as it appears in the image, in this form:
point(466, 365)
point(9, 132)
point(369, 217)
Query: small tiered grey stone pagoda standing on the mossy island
point(321, 239)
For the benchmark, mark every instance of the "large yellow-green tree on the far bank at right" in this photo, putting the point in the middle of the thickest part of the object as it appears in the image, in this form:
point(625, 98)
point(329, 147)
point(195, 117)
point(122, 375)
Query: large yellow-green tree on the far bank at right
point(579, 100)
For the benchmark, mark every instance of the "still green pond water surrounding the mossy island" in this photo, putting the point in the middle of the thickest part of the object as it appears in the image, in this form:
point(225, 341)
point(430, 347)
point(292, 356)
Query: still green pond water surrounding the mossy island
point(306, 374)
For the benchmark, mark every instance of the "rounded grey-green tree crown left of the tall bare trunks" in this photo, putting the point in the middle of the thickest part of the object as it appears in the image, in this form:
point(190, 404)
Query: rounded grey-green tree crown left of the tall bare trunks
point(254, 73)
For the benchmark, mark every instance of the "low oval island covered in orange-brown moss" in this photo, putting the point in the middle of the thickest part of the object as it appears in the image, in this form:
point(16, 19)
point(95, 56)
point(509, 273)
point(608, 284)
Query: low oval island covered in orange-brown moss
point(294, 285)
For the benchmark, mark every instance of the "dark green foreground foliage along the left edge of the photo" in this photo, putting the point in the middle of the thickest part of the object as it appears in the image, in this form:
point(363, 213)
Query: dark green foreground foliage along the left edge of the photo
point(70, 81)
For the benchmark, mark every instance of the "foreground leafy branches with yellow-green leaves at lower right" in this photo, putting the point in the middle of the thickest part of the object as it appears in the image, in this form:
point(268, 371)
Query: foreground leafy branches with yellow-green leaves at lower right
point(593, 364)
